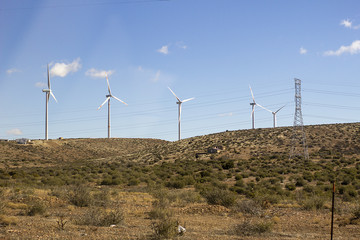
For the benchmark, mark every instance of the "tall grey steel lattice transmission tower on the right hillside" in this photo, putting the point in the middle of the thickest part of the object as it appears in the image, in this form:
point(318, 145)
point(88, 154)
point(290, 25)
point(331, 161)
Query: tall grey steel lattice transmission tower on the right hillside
point(298, 141)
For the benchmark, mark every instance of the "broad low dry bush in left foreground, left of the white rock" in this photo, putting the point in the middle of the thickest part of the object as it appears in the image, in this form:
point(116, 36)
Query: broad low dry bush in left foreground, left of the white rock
point(100, 217)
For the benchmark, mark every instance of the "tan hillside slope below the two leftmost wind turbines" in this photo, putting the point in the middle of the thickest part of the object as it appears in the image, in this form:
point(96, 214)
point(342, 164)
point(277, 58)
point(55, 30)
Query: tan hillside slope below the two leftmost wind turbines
point(51, 152)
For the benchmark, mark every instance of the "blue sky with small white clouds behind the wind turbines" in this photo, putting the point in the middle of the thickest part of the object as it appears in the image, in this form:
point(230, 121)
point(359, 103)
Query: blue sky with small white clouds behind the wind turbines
point(208, 49)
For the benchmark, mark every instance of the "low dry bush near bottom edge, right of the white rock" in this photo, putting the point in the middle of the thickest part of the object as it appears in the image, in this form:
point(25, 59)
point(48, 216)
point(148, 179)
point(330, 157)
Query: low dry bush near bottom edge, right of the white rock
point(250, 228)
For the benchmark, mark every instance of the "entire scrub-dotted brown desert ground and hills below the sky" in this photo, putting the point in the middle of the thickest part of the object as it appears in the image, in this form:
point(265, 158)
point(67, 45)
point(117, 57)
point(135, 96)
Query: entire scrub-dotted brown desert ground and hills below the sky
point(228, 185)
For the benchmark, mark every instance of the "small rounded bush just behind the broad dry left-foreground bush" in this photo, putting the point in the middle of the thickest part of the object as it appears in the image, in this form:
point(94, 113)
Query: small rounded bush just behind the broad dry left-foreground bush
point(80, 196)
